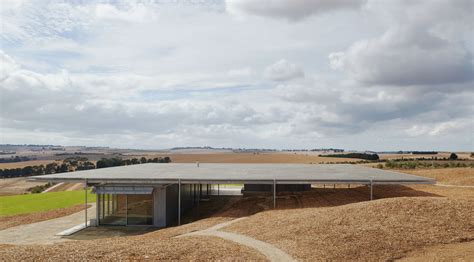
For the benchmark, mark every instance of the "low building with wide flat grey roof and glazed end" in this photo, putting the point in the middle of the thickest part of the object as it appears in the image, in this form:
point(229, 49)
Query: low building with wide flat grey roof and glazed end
point(157, 194)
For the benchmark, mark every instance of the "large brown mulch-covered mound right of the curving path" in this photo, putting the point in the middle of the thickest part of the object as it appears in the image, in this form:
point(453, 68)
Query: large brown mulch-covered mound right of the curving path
point(376, 230)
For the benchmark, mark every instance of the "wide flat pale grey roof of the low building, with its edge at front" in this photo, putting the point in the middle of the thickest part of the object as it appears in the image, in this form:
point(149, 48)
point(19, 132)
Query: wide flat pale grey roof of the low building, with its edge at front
point(154, 173)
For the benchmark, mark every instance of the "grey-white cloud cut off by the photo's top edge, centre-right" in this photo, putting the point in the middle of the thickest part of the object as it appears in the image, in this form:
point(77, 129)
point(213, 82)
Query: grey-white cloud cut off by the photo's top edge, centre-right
point(289, 9)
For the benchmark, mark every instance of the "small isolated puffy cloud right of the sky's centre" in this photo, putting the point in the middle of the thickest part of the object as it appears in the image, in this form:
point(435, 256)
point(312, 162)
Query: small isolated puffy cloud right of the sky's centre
point(283, 70)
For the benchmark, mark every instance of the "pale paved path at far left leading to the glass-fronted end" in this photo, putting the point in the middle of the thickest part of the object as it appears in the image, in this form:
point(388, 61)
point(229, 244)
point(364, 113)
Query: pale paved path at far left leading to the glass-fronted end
point(43, 232)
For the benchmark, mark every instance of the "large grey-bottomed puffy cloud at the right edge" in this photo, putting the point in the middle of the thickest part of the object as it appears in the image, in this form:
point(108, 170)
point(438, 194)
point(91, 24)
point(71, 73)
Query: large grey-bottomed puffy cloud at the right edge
point(403, 58)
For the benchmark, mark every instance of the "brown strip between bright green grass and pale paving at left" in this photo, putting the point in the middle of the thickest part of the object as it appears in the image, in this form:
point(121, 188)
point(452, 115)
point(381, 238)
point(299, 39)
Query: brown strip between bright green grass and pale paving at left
point(23, 219)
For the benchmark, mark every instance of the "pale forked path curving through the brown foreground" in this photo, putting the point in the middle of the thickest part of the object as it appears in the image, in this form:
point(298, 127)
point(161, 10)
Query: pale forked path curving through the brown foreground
point(270, 251)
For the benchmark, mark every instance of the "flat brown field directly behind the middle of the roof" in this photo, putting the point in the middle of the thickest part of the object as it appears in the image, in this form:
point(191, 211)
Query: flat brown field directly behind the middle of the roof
point(253, 158)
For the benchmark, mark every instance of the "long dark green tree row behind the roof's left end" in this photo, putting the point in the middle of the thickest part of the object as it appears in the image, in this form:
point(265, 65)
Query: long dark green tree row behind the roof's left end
point(75, 164)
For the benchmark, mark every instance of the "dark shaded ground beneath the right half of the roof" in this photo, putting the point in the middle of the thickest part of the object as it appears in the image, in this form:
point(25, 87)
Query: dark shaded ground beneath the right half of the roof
point(240, 206)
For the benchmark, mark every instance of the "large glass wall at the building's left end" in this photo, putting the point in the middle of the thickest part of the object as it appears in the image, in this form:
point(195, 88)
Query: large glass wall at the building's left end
point(121, 210)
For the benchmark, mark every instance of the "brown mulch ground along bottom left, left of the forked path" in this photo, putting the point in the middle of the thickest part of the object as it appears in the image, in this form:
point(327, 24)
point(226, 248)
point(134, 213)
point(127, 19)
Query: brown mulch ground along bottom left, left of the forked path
point(159, 245)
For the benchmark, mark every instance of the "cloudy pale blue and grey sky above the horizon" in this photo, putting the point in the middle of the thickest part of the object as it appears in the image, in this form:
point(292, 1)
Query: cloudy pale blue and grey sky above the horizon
point(354, 74)
